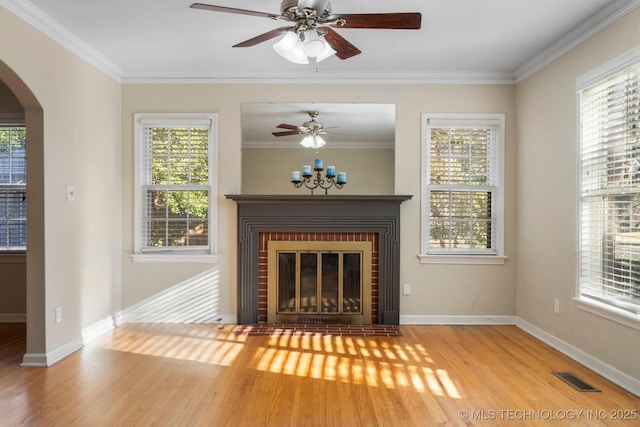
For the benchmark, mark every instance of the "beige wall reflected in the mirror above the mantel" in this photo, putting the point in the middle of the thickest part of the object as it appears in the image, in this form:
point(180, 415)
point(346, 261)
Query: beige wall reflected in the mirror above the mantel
point(268, 171)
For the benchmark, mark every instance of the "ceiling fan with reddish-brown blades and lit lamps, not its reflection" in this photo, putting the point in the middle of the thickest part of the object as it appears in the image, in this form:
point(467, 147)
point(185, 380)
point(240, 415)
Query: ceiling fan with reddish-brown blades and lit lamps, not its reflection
point(311, 33)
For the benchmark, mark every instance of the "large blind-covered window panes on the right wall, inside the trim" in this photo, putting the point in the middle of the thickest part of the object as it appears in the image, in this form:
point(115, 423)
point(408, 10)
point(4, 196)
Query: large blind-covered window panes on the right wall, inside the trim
point(610, 187)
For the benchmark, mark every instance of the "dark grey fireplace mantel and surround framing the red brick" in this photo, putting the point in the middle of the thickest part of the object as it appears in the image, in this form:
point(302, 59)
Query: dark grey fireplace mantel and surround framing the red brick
point(378, 214)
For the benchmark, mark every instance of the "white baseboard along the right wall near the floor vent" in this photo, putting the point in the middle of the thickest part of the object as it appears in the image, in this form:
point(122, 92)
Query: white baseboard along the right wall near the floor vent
point(609, 372)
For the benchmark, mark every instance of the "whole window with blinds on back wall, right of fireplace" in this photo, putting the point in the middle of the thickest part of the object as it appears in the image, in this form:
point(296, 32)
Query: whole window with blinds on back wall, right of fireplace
point(462, 189)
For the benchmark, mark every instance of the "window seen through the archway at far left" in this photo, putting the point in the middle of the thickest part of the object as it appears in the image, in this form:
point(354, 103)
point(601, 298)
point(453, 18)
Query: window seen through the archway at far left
point(13, 188)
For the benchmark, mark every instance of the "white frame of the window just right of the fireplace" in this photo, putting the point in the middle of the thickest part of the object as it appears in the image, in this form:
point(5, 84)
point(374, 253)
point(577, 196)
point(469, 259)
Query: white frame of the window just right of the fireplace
point(468, 256)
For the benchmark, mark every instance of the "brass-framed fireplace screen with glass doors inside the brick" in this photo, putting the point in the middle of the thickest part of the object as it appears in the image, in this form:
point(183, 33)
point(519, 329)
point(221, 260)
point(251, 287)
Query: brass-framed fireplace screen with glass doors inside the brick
point(315, 284)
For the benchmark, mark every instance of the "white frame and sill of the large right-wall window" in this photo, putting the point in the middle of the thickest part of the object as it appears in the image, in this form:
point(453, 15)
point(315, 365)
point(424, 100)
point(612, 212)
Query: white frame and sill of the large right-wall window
point(586, 301)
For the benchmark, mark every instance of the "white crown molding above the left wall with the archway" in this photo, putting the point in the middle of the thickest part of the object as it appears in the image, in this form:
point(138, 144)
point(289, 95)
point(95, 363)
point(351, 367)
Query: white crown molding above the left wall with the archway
point(51, 28)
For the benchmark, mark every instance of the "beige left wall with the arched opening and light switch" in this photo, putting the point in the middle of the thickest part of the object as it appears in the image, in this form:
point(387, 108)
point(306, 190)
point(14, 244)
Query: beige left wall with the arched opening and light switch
point(73, 119)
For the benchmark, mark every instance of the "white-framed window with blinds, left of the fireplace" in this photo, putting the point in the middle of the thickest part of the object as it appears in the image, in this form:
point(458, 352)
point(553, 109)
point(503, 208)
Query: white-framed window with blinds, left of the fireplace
point(175, 187)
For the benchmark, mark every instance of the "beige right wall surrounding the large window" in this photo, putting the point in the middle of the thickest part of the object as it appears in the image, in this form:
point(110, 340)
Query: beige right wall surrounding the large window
point(547, 201)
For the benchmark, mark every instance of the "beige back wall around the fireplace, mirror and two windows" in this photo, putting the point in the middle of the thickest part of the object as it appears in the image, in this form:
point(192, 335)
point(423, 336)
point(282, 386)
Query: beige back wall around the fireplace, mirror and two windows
point(437, 289)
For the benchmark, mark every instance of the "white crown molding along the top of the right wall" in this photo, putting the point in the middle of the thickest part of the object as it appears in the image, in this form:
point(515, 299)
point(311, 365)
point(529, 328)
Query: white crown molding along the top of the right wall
point(584, 31)
